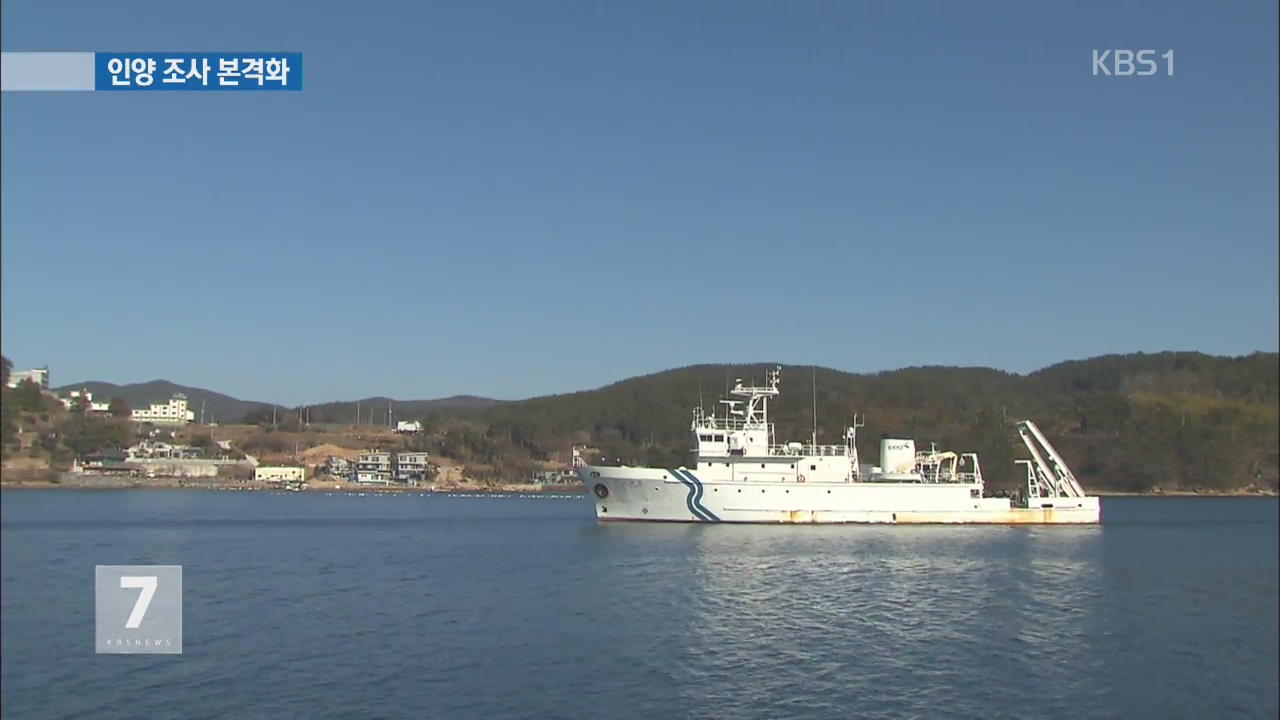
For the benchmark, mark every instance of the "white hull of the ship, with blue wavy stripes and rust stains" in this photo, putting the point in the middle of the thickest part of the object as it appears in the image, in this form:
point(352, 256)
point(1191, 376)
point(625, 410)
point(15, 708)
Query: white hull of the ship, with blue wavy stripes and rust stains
point(682, 496)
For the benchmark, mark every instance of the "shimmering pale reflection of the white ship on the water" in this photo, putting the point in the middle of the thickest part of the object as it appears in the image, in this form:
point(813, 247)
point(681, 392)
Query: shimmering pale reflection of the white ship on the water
point(876, 621)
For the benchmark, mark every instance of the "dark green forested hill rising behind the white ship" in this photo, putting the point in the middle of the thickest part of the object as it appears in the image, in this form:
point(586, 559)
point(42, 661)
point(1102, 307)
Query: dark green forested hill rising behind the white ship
point(1124, 422)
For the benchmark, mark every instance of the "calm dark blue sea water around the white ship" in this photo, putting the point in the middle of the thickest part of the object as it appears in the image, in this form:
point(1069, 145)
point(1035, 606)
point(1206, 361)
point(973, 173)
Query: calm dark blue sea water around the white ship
point(314, 605)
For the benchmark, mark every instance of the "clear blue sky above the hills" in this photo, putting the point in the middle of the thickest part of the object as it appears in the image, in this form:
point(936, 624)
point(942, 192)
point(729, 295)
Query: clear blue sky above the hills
point(515, 199)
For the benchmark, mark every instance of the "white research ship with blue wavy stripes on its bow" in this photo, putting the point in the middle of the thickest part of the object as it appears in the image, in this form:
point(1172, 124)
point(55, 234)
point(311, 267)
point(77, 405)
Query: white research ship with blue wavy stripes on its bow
point(740, 475)
